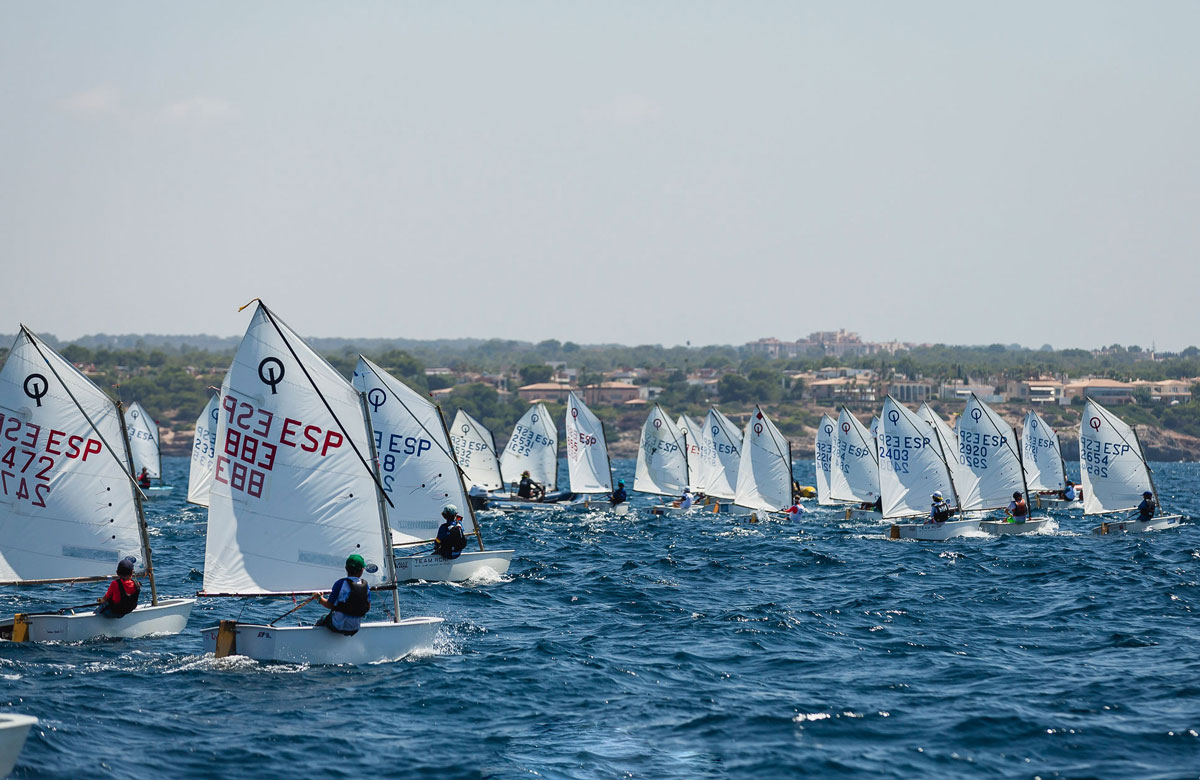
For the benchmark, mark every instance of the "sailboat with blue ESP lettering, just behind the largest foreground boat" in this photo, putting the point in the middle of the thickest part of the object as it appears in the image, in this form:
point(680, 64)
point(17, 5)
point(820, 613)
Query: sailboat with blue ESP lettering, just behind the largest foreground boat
point(421, 476)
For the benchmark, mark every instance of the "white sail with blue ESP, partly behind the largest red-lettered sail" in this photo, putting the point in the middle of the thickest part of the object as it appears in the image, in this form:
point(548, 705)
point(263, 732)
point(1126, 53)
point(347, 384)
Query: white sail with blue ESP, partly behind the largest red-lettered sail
point(417, 464)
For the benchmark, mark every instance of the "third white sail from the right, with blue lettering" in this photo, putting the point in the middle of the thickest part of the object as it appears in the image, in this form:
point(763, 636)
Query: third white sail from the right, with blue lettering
point(988, 453)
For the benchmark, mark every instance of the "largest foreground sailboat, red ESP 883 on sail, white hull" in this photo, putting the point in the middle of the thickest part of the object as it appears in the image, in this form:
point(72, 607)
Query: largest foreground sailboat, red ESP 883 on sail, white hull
point(296, 491)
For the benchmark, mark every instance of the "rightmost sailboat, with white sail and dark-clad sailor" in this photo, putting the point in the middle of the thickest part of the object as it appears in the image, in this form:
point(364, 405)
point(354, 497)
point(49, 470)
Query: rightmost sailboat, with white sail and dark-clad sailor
point(1115, 473)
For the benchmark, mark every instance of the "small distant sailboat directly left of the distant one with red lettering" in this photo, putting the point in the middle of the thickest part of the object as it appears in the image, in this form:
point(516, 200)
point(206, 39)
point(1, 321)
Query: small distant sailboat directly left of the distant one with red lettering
point(532, 448)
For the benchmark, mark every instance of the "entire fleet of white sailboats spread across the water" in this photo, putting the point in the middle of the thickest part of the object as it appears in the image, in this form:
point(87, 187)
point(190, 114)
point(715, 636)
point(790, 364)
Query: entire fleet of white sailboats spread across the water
point(299, 469)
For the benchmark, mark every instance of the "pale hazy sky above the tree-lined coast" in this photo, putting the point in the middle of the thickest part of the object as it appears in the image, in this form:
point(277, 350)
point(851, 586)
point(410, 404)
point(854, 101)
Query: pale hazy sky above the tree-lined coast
point(607, 172)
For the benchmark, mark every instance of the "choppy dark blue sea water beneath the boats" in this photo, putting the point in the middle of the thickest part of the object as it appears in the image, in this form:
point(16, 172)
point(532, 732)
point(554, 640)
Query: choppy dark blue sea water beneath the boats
point(673, 647)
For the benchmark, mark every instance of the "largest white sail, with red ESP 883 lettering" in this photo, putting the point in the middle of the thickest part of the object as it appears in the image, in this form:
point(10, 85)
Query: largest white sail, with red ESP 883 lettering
point(293, 490)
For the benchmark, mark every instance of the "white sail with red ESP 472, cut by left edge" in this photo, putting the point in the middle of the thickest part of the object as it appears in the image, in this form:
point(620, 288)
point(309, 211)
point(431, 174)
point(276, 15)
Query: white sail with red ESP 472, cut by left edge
point(68, 505)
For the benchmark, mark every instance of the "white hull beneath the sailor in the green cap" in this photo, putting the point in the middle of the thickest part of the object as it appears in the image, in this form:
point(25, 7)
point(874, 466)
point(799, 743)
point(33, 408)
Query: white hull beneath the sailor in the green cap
point(317, 645)
